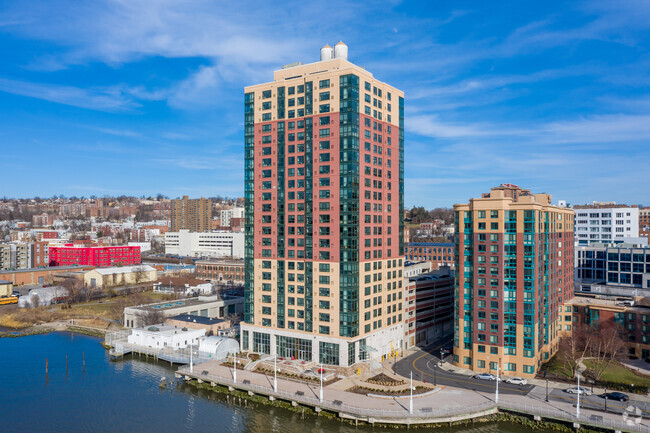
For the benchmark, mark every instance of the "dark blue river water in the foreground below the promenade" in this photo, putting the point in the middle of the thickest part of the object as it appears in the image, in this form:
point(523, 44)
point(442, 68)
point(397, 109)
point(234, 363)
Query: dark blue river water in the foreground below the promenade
point(125, 396)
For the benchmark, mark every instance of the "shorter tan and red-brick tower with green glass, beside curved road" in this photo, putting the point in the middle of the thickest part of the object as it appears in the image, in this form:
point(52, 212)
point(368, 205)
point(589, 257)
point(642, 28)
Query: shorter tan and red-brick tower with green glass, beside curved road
point(514, 267)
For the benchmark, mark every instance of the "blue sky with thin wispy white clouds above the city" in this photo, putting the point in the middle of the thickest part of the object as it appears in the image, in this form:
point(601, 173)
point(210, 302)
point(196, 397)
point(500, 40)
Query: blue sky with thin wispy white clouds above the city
point(140, 97)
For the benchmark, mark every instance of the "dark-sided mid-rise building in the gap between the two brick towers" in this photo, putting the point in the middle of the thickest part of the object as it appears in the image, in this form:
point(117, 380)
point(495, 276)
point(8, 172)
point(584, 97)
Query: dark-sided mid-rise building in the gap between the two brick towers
point(429, 307)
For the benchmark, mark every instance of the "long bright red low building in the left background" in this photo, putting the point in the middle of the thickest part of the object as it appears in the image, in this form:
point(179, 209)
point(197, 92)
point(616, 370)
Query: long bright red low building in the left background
point(94, 256)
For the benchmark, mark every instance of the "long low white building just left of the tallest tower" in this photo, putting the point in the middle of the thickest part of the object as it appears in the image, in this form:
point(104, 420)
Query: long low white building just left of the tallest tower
point(213, 244)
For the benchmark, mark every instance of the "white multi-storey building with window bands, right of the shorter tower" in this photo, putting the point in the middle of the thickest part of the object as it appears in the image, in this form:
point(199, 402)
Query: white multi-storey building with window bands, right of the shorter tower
point(606, 223)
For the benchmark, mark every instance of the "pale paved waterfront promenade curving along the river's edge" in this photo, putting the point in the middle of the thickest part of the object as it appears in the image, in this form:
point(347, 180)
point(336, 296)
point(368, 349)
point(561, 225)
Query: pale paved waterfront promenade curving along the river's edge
point(441, 405)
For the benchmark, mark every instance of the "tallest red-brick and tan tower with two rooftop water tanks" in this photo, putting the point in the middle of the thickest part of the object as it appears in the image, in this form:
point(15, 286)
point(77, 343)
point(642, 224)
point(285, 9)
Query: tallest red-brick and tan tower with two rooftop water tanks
point(324, 176)
